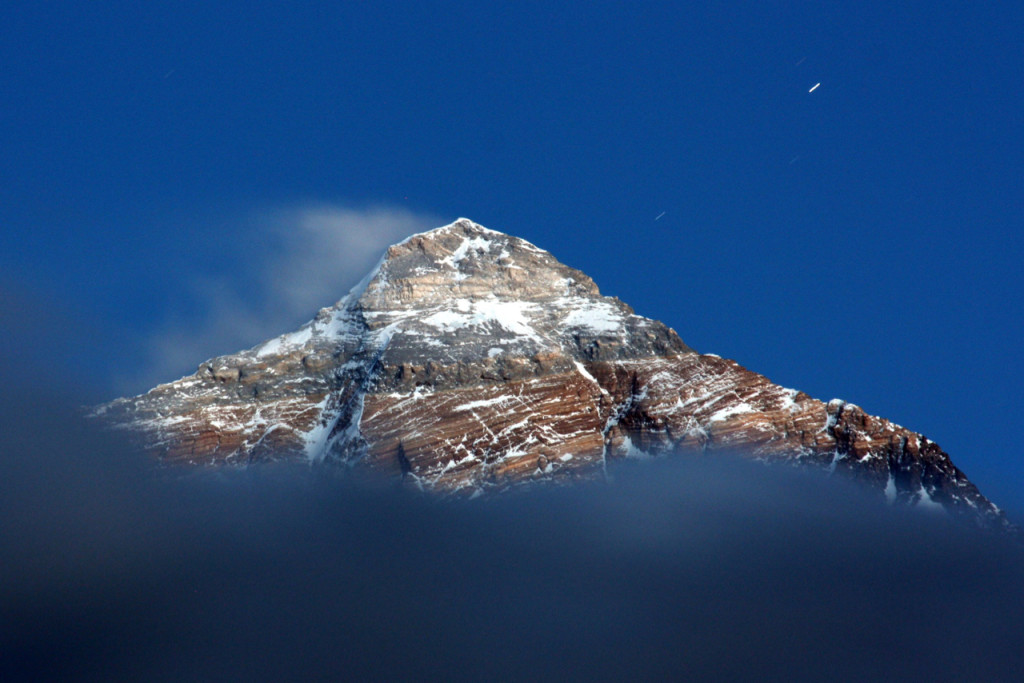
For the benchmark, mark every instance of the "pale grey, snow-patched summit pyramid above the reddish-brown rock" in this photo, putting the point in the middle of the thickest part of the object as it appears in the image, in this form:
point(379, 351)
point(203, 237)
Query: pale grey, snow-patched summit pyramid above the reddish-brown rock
point(462, 291)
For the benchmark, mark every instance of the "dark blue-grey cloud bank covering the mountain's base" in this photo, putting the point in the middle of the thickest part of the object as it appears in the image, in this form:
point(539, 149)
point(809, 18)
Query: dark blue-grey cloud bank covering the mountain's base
point(686, 569)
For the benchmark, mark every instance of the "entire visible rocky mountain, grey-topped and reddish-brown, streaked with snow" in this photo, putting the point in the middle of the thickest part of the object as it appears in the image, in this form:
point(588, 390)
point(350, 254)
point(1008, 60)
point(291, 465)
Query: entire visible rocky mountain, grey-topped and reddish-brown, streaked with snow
point(472, 362)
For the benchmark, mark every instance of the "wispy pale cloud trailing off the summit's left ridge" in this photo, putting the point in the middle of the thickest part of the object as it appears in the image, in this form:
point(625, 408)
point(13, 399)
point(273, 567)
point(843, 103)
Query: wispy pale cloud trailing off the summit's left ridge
point(304, 259)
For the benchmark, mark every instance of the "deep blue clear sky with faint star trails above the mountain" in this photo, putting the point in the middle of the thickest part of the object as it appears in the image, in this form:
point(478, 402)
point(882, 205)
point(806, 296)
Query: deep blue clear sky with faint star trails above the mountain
point(863, 241)
